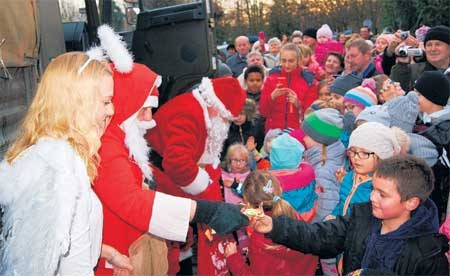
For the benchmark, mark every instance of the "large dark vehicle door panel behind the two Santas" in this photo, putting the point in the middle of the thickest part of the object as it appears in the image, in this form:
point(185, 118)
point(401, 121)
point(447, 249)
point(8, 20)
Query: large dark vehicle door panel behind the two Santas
point(177, 43)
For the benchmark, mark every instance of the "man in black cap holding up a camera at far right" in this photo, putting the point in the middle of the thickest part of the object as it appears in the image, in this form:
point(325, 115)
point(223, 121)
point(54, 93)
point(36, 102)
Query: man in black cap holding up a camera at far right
point(437, 50)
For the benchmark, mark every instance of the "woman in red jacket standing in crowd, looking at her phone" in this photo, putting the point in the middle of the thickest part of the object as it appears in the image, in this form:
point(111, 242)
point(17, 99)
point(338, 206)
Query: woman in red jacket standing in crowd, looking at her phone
point(287, 92)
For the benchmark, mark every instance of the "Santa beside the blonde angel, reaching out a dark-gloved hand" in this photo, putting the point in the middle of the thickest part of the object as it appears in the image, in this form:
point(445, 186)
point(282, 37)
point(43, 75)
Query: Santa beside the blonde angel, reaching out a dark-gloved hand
point(130, 208)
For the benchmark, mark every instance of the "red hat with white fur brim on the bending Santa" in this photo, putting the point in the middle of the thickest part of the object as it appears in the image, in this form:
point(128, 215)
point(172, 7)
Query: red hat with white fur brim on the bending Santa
point(226, 94)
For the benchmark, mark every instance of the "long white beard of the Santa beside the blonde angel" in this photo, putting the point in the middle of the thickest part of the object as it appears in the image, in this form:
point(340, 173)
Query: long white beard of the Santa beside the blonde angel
point(137, 145)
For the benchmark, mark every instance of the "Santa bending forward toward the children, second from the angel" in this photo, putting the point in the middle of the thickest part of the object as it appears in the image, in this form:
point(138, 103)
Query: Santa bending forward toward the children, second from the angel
point(189, 135)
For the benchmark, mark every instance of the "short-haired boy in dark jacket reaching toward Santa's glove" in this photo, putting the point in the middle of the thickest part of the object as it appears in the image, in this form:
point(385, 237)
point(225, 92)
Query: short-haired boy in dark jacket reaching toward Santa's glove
point(397, 233)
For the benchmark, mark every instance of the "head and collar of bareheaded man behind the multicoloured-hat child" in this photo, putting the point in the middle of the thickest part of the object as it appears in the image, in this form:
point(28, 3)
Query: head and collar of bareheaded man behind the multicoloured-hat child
point(358, 57)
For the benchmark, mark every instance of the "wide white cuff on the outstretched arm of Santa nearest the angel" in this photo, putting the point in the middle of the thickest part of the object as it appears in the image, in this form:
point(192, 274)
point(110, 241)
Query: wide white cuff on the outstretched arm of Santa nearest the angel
point(173, 223)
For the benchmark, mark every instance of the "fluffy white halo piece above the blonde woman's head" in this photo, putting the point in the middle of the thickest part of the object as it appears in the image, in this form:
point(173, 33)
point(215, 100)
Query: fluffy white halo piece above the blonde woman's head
point(116, 49)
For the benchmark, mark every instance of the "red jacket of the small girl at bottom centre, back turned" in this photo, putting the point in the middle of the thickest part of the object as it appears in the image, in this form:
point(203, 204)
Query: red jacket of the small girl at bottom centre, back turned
point(268, 258)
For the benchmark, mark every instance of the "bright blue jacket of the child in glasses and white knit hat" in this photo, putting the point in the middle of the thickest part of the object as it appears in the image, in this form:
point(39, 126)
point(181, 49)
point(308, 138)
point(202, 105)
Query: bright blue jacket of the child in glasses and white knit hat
point(360, 195)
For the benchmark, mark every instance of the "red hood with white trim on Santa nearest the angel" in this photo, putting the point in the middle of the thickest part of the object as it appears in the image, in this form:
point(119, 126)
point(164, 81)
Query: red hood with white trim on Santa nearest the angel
point(134, 90)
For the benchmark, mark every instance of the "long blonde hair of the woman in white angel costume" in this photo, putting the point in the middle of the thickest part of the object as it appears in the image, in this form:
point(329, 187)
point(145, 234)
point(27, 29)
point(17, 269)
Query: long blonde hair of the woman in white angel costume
point(64, 107)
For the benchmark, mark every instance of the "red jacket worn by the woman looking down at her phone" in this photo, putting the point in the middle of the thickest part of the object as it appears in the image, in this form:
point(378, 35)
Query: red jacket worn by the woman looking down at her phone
point(275, 111)
